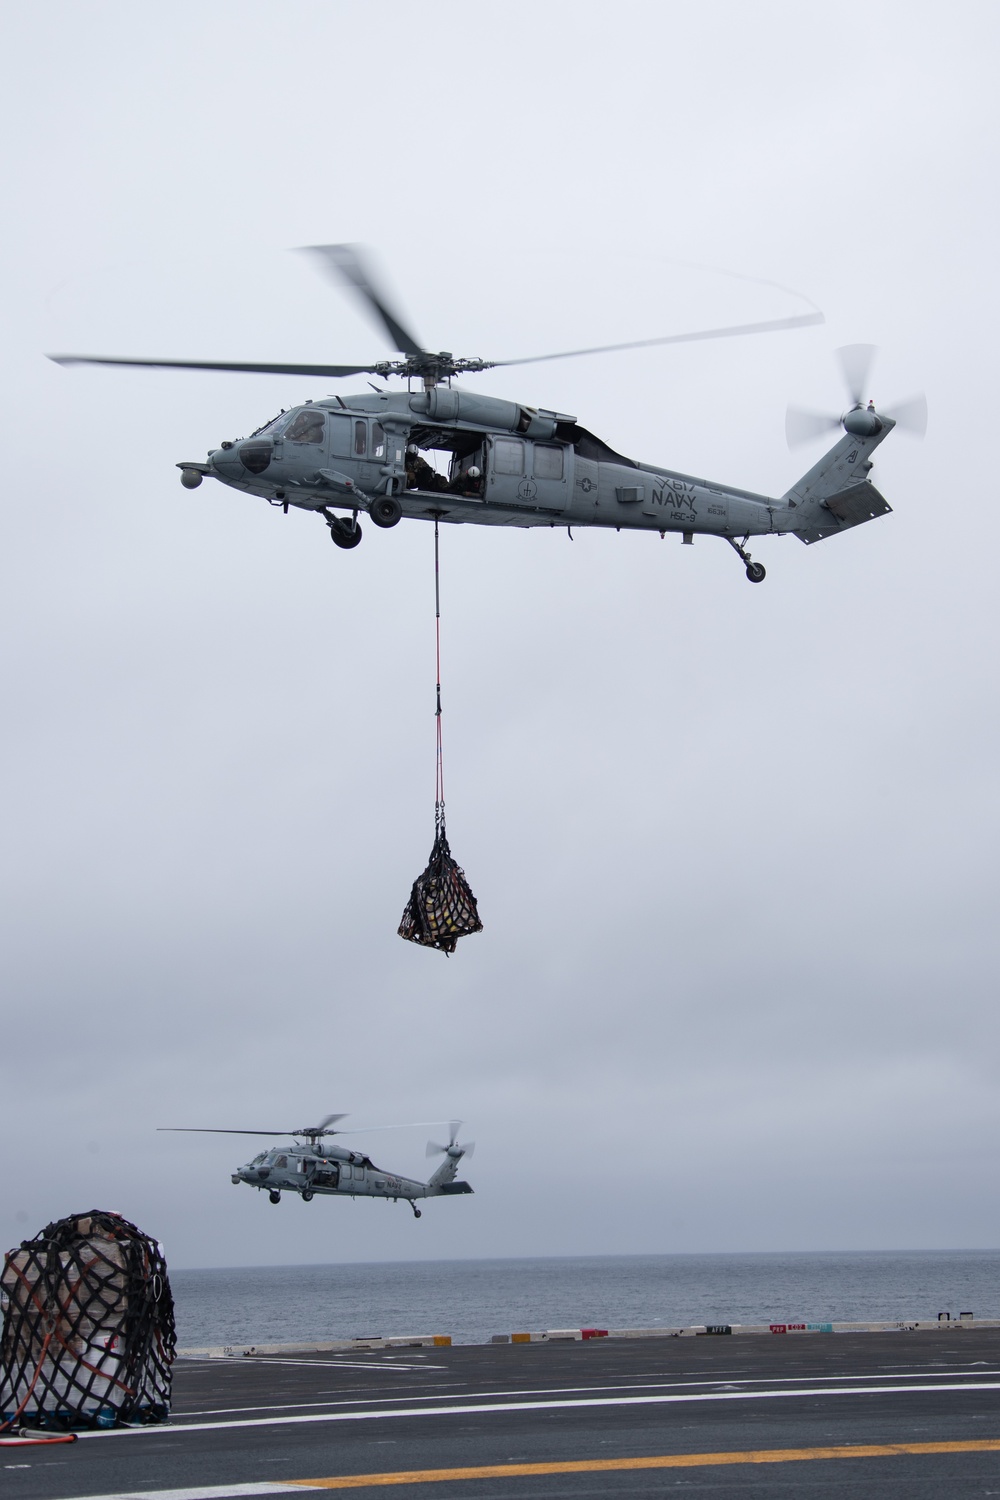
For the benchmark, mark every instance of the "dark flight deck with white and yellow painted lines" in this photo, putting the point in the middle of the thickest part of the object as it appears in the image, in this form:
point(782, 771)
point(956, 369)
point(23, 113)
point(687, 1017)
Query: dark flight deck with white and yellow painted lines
point(908, 1414)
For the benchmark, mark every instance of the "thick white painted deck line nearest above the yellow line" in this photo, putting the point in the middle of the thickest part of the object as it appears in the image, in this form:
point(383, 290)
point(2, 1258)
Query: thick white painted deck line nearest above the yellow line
point(499, 1408)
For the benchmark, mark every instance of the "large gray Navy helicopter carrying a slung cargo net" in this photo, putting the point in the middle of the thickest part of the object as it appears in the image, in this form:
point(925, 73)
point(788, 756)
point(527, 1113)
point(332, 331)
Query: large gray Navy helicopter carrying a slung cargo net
point(504, 464)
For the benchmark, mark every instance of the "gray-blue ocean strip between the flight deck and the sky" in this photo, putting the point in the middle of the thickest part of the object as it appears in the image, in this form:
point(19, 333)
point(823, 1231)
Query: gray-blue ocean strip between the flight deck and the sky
point(473, 1300)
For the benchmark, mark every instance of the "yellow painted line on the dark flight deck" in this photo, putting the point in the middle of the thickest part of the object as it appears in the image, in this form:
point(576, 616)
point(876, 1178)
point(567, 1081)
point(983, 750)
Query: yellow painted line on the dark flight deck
point(594, 1466)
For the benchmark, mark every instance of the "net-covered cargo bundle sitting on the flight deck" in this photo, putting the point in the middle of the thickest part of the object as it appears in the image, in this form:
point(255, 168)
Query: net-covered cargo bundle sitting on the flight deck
point(88, 1327)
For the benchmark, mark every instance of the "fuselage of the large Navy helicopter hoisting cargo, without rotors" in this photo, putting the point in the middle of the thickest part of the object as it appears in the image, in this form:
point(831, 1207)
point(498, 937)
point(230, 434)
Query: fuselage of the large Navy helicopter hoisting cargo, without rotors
point(509, 464)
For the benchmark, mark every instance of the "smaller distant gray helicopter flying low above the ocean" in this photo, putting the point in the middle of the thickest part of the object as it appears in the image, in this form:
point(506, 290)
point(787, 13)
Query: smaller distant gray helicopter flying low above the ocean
point(310, 1168)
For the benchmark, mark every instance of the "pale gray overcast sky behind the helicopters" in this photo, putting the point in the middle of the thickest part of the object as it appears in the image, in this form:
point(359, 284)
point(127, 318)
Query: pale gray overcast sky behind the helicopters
point(735, 847)
